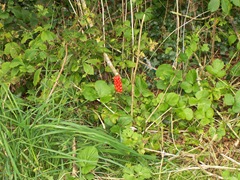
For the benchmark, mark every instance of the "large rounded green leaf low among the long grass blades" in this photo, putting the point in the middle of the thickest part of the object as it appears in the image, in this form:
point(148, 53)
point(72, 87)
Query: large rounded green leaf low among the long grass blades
point(87, 159)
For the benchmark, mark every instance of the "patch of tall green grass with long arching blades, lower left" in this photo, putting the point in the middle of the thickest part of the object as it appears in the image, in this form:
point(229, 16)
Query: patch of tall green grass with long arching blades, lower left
point(36, 140)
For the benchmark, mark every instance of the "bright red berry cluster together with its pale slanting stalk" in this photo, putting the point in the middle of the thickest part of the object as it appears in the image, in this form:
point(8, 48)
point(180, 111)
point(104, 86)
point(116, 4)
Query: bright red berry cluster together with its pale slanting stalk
point(117, 78)
